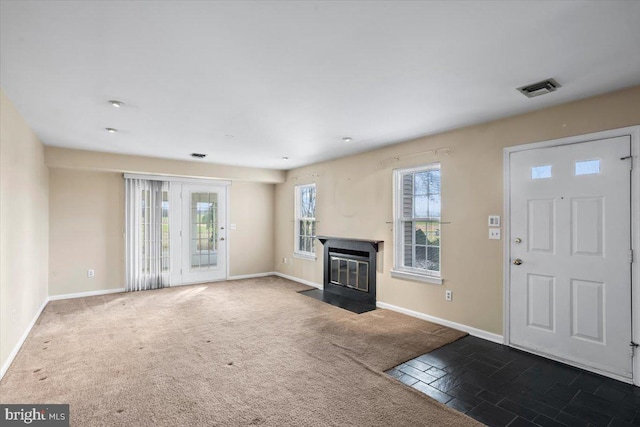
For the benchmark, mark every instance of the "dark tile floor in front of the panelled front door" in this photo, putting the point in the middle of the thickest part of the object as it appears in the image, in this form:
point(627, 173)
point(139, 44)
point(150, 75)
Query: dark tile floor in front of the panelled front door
point(501, 386)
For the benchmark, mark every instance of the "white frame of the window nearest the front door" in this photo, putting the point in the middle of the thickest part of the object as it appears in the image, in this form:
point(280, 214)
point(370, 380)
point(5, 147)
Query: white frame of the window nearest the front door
point(399, 270)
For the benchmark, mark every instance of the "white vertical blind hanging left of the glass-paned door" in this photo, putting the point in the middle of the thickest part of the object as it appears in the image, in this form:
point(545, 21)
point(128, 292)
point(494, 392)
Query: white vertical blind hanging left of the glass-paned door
point(146, 230)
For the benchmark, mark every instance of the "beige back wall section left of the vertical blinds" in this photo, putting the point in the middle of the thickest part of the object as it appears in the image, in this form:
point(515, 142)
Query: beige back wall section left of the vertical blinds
point(87, 224)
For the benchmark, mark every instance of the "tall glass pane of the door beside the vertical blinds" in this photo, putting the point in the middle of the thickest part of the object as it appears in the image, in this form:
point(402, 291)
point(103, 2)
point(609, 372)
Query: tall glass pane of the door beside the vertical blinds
point(204, 230)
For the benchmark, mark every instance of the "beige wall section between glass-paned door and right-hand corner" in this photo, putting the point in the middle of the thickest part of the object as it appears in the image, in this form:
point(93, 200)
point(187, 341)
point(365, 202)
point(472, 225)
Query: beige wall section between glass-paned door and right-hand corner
point(251, 243)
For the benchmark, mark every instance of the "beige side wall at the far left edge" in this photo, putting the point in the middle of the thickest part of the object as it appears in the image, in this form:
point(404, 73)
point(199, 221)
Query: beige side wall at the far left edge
point(24, 227)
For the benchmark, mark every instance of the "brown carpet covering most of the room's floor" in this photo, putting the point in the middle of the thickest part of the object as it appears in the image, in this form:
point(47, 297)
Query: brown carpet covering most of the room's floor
point(247, 352)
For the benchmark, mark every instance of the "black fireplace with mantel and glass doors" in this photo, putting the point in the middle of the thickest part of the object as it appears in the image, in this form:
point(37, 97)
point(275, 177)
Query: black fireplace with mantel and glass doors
point(350, 268)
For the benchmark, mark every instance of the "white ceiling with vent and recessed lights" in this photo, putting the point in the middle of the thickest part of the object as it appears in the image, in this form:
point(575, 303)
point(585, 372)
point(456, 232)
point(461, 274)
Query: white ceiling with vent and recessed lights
point(250, 82)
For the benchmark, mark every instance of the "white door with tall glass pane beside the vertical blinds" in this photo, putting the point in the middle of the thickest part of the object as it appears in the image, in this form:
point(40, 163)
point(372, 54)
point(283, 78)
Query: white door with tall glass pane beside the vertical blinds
point(203, 233)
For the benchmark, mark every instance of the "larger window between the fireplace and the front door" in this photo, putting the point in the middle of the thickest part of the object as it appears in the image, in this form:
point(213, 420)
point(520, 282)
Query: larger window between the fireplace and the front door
point(417, 223)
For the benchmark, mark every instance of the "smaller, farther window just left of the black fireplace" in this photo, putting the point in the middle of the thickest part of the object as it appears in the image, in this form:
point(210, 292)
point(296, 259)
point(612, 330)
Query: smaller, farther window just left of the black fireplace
point(305, 222)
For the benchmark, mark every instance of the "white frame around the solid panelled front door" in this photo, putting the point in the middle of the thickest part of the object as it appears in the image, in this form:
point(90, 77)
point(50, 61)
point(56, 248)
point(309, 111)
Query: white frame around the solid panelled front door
point(634, 133)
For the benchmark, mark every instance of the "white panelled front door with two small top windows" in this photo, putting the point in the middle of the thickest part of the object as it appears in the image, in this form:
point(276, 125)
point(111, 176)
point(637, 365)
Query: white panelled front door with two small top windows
point(570, 246)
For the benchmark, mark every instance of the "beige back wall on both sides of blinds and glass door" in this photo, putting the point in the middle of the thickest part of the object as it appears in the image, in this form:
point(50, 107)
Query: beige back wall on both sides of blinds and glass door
point(87, 226)
